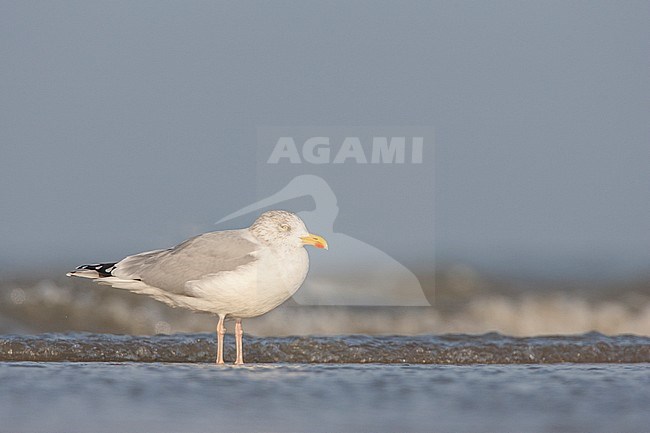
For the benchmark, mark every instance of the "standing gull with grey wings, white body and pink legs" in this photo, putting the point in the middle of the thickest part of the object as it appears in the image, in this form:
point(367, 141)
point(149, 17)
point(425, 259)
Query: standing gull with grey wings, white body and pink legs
point(235, 274)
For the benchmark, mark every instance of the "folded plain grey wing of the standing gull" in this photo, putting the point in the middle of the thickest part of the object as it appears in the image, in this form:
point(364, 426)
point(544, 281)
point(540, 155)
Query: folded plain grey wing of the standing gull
point(193, 259)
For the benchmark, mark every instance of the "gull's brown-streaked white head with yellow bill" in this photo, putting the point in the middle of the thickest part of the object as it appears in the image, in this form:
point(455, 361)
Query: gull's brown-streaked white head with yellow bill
point(277, 227)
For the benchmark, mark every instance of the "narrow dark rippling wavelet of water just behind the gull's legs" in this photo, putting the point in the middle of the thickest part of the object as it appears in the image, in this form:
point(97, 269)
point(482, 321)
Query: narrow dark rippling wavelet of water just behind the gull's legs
point(489, 348)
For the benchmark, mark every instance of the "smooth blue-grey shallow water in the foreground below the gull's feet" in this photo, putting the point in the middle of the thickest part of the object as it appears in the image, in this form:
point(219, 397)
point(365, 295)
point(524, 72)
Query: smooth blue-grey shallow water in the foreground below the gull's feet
point(125, 397)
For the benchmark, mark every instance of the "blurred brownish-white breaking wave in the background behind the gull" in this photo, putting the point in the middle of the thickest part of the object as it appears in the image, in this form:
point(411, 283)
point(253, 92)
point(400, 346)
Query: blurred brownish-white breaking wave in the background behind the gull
point(70, 306)
